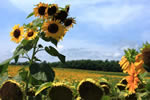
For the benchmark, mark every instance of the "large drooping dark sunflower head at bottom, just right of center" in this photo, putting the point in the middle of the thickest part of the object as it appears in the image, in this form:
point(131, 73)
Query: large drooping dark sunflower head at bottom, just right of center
point(90, 90)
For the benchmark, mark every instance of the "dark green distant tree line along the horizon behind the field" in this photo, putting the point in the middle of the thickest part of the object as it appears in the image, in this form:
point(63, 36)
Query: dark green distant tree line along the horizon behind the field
point(99, 65)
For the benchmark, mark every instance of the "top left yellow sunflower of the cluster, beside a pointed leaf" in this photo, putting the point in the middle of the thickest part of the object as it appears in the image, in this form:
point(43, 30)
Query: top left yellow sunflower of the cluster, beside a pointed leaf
point(40, 9)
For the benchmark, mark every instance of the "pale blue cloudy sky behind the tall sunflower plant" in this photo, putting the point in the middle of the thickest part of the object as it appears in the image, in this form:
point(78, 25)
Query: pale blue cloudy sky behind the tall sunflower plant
point(104, 27)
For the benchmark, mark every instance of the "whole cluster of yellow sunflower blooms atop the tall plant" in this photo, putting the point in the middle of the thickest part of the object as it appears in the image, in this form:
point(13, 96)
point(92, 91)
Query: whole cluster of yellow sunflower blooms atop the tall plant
point(55, 23)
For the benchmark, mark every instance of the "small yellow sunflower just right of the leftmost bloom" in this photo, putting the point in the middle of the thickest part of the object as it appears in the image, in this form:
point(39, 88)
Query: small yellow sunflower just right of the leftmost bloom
point(30, 34)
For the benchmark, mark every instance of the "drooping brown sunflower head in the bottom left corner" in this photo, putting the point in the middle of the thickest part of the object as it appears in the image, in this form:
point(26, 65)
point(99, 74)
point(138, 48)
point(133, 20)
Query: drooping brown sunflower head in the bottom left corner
point(10, 90)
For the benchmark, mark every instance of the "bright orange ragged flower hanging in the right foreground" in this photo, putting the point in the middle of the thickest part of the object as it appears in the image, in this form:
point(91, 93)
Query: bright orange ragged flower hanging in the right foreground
point(132, 79)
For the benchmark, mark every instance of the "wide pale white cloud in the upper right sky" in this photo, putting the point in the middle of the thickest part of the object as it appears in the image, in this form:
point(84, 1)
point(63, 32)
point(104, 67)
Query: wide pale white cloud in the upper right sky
point(108, 16)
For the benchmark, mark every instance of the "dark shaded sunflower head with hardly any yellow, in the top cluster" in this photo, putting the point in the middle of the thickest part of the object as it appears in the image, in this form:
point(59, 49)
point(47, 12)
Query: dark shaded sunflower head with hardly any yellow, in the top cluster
point(61, 15)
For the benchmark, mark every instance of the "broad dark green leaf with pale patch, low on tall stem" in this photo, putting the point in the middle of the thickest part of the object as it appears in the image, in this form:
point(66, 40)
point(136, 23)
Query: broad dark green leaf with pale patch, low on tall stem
point(42, 72)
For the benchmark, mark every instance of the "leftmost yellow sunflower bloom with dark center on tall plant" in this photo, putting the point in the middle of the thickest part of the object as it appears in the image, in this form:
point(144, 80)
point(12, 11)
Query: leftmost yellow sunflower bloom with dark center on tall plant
point(16, 33)
